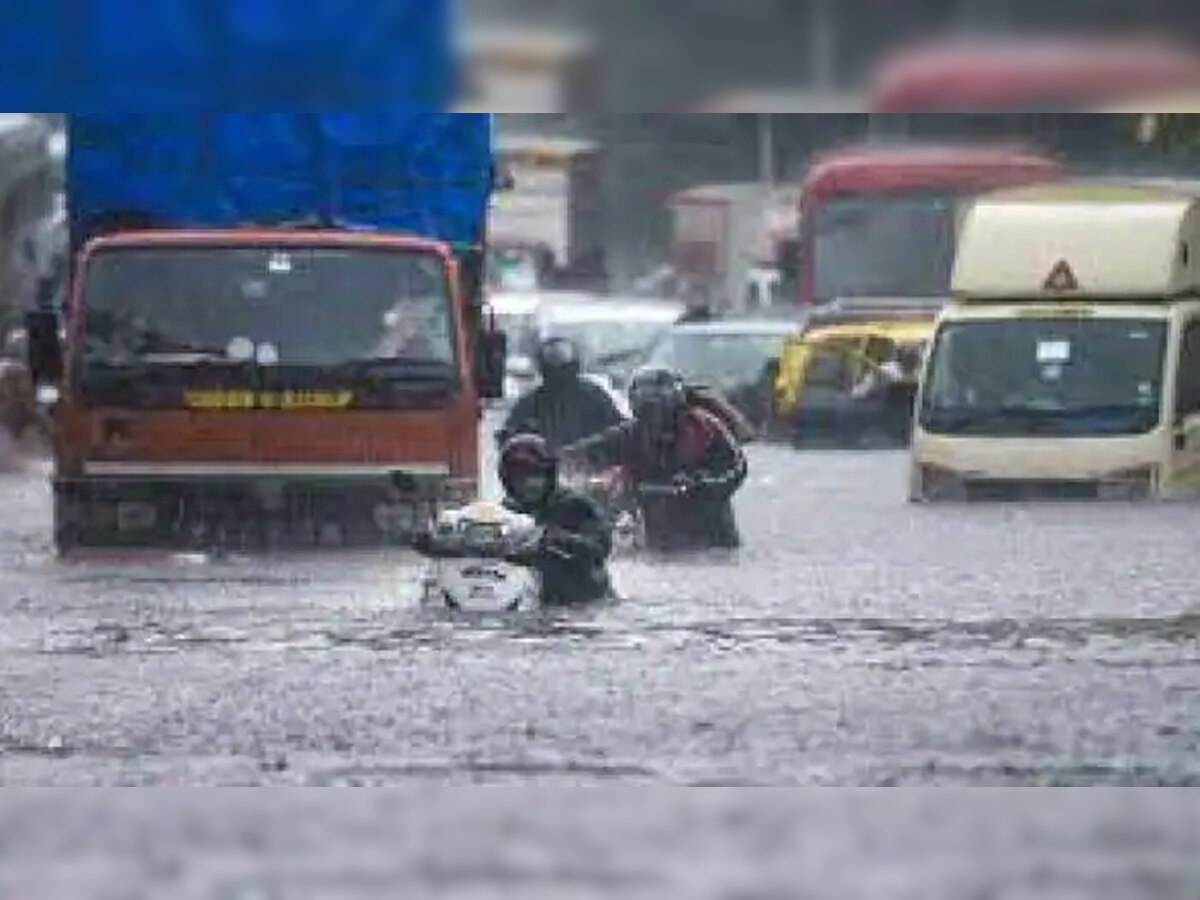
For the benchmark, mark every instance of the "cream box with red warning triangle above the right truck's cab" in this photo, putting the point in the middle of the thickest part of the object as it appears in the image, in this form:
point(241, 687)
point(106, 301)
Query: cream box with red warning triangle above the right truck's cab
point(1081, 241)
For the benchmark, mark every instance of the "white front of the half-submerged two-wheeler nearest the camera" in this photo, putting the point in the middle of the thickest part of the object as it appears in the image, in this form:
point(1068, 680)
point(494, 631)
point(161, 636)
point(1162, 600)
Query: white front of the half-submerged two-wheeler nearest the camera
point(469, 568)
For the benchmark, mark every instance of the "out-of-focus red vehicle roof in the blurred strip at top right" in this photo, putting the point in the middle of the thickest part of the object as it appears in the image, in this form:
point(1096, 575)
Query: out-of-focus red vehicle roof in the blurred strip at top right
point(1029, 76)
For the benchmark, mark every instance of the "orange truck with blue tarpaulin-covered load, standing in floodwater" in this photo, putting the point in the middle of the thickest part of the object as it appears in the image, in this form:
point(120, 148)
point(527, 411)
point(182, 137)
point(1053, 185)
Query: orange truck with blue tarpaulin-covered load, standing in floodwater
point(271, 350)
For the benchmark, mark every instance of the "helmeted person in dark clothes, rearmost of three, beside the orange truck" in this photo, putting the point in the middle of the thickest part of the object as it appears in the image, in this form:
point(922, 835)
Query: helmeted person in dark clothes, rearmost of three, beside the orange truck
point(566, 407)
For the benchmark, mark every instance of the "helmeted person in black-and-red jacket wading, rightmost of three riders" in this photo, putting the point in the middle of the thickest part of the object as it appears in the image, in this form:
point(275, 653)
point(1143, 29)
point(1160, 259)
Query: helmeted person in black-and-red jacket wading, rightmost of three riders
point(682, 460)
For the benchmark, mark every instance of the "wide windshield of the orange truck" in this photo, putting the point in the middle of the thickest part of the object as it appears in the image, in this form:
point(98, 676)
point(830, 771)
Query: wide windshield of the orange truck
point(285, 307)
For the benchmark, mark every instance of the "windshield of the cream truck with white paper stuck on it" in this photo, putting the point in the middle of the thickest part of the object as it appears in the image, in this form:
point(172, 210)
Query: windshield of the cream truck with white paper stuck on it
point(1046, 377)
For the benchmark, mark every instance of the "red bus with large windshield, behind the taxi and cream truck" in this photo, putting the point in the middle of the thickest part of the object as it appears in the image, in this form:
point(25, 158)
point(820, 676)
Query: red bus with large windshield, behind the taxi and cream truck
point(883, 221)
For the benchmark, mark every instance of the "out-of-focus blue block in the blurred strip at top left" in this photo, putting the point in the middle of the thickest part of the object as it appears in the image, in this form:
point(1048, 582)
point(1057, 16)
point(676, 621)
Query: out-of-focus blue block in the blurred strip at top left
point(197, 56)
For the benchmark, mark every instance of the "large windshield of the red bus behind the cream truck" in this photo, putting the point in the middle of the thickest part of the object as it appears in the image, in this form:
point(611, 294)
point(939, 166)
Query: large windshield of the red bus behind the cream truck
point(885, 247)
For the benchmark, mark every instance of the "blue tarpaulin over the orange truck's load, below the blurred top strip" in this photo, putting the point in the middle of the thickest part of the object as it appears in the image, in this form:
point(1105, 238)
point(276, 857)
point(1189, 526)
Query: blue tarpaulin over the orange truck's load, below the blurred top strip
point(425, 173)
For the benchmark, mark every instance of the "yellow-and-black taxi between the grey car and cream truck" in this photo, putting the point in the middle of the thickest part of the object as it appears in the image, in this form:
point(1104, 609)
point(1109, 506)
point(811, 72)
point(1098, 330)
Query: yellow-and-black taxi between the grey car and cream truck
point(818, 394)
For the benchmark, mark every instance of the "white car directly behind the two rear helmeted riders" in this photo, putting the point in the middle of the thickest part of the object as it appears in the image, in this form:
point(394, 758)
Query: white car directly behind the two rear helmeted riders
point(614, 334)
